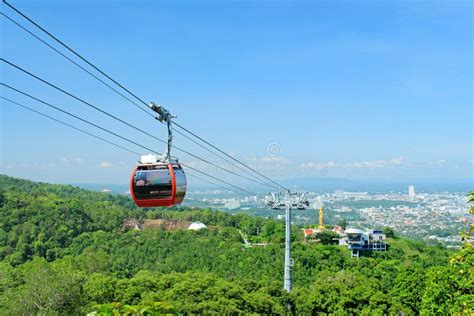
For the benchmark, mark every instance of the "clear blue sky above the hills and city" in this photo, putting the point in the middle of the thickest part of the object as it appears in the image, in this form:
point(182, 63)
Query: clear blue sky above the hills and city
point(362, 90)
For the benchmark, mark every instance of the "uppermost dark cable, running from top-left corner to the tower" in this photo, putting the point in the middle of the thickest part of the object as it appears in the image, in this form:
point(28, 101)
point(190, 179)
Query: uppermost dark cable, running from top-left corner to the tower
point(132, 94)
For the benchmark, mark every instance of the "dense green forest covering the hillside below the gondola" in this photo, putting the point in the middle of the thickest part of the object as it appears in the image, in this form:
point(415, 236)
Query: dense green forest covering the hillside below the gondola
point(64, 250)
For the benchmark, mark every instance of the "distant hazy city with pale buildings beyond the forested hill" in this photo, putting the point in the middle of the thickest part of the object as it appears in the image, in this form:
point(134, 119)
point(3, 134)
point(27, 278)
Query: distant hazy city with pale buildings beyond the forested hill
point(433, 217)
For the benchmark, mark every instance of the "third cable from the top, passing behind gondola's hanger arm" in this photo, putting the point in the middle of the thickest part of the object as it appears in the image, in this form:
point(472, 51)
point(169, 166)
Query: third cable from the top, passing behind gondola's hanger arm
point(118, 119)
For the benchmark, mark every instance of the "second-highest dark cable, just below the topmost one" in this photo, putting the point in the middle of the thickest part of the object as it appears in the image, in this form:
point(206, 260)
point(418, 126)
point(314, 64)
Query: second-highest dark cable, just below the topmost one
point(128, 99)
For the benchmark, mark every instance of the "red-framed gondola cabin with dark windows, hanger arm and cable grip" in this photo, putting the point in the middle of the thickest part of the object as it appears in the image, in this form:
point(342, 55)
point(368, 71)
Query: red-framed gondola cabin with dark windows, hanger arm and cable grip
point(158, 180)
